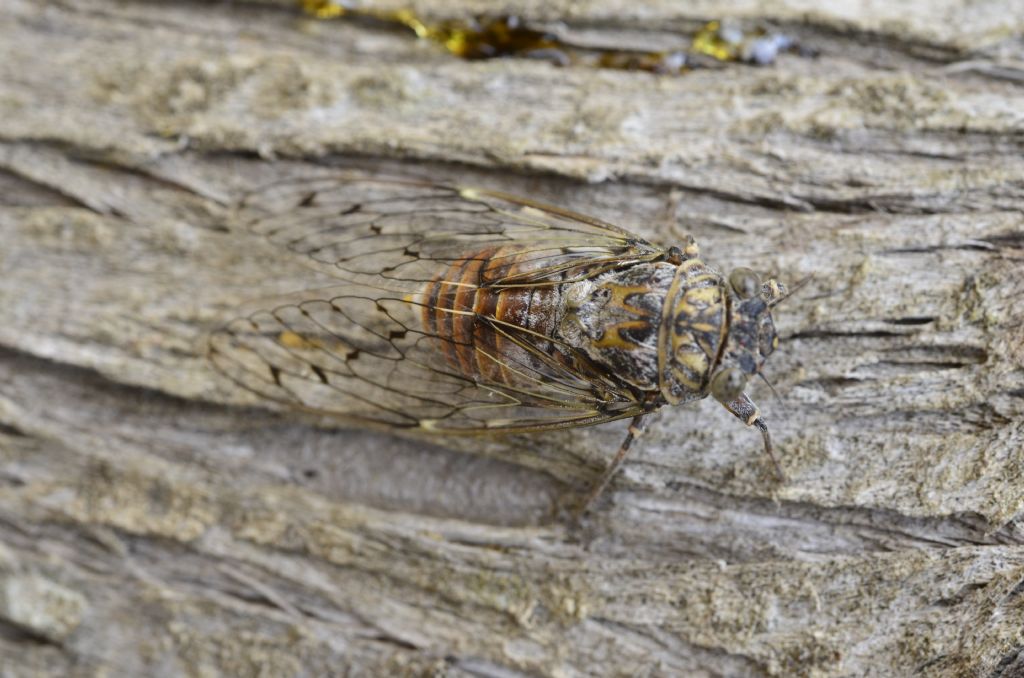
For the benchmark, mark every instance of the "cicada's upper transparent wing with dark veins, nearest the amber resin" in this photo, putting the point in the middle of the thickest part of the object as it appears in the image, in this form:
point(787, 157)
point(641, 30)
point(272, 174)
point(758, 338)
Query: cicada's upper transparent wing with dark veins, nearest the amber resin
point(400, 235)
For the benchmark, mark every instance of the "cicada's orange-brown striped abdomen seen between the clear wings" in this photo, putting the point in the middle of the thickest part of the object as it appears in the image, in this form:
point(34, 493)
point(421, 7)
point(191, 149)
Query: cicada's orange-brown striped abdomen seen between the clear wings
point(458, 302)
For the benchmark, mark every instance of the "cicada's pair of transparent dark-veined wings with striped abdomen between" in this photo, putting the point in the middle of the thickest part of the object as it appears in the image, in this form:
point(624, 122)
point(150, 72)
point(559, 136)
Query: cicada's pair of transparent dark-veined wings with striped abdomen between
point(415, 335)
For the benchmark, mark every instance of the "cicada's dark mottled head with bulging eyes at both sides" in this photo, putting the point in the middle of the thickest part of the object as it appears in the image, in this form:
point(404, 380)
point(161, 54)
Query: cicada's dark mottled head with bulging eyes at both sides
point(752, 335)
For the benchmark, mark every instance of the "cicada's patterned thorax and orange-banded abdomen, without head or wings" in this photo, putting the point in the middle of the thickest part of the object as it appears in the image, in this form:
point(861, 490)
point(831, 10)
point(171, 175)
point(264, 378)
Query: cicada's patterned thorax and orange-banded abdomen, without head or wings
point(656, 327)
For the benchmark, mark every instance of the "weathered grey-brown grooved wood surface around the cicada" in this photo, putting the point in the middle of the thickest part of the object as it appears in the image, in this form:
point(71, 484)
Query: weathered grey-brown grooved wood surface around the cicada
point(155, 522)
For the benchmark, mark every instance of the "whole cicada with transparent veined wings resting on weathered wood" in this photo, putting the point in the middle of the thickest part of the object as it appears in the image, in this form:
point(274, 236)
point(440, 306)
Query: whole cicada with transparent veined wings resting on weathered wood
point(473, 312)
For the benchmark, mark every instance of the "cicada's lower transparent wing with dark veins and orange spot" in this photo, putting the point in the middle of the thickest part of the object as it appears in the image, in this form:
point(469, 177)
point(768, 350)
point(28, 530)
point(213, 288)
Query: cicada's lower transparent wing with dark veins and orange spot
point(366, 358)
